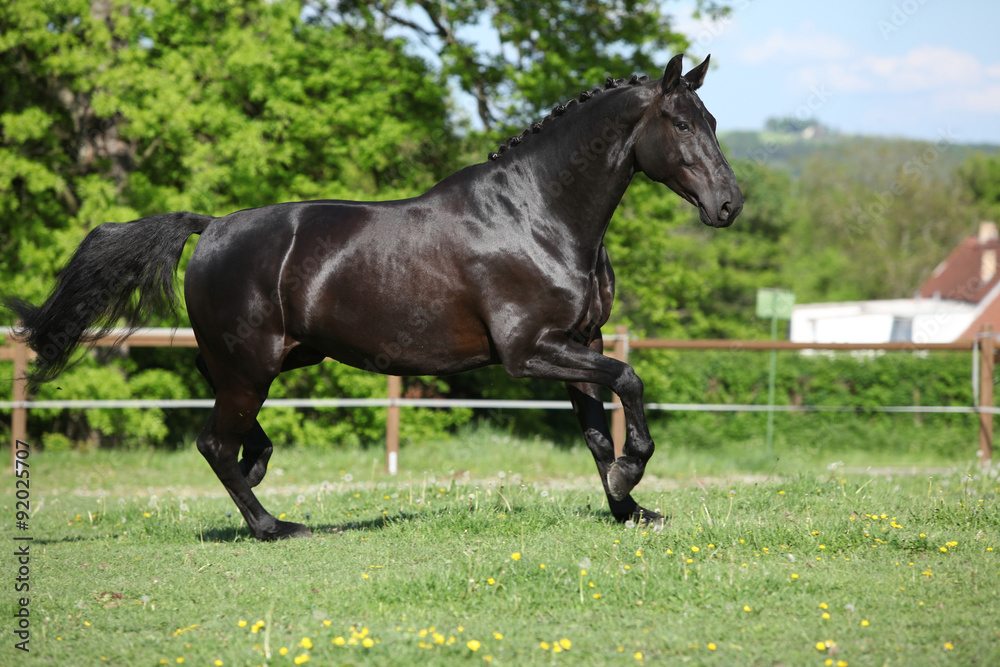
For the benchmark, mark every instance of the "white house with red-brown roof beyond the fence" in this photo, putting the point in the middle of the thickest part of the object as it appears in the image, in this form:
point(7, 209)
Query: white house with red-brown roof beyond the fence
point(961, 295)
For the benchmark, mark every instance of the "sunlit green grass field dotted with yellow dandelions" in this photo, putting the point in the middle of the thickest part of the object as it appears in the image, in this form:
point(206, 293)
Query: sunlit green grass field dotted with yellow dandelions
point(494, 549)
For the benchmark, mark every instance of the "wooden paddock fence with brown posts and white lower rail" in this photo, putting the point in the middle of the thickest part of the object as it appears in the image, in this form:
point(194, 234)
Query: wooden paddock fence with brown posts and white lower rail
point(983, 349)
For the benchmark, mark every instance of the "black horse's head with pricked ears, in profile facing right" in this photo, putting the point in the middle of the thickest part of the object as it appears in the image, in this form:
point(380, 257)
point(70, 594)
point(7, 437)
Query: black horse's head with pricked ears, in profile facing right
point(676, 146)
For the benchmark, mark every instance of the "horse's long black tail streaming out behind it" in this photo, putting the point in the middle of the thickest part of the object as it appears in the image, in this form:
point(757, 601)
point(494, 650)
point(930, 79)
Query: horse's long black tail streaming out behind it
point(96, 288)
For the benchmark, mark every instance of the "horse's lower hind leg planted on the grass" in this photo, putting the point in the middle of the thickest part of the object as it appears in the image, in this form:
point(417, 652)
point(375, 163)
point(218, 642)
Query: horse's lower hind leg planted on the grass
point(232, 419)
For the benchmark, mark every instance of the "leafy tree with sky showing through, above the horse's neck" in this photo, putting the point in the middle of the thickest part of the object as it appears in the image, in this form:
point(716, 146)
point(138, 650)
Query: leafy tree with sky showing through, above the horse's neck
point(518, 58)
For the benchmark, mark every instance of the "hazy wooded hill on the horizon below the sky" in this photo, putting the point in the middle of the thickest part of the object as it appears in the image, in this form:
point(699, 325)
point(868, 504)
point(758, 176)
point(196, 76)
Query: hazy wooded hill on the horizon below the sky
point(789, 151)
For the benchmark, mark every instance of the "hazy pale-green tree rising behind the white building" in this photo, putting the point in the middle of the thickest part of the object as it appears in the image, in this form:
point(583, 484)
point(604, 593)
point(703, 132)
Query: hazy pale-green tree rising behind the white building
point(875, 220)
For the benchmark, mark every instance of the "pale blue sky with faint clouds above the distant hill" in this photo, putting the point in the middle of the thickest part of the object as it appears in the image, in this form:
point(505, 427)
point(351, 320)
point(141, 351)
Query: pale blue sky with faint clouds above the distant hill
point(913, 68)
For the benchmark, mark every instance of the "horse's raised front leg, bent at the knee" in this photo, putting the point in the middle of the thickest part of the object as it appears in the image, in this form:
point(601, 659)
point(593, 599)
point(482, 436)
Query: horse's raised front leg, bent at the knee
point(557, 357)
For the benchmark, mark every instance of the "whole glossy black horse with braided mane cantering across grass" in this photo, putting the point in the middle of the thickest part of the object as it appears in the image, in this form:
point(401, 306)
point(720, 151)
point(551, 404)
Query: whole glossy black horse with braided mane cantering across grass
point(500, 263)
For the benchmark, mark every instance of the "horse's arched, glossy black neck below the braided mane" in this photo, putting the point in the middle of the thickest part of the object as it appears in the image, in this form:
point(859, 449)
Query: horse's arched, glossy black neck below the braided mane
point(580, 167)
